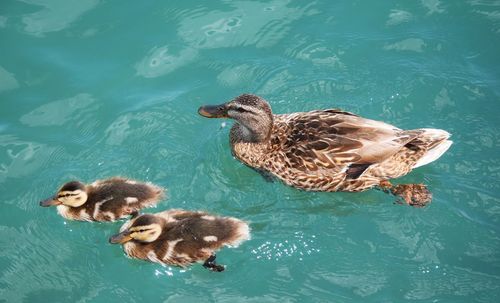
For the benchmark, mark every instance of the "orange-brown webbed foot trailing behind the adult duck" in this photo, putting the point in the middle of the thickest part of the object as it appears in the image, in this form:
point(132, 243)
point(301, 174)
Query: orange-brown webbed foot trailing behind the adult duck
point(416, 195)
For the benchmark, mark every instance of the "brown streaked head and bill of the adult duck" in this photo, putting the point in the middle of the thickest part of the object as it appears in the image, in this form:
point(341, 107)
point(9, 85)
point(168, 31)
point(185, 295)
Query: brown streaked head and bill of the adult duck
point(252, 112)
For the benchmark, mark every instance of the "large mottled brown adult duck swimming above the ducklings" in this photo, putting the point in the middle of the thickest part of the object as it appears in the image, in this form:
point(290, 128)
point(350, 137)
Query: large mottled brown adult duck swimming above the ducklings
point(328, 150)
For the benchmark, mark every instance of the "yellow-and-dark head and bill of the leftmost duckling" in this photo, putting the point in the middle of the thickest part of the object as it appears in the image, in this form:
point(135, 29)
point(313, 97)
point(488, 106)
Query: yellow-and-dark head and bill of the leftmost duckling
point(72, 194)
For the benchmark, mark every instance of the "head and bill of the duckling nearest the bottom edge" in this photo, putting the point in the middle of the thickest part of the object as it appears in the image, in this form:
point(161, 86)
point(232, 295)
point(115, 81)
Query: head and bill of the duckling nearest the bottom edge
point(145, 228)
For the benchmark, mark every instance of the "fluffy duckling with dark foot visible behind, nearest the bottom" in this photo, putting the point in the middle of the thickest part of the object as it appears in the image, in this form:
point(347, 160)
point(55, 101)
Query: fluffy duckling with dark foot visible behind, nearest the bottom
point(180, 237)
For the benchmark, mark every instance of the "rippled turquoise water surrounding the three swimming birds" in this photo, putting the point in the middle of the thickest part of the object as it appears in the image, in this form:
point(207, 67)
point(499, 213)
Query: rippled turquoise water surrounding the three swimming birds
point(91, 89)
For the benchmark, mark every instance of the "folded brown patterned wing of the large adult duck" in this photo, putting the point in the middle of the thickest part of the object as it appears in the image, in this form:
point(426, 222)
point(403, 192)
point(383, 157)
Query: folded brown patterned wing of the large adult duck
point(337, 141)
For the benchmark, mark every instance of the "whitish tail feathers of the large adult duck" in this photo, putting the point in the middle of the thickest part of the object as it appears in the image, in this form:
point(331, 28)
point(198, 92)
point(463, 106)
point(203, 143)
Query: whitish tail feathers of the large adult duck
point(435, 141)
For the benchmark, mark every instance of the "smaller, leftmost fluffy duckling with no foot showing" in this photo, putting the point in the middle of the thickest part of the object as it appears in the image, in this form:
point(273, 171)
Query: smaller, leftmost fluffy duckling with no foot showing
point(104, 200)
